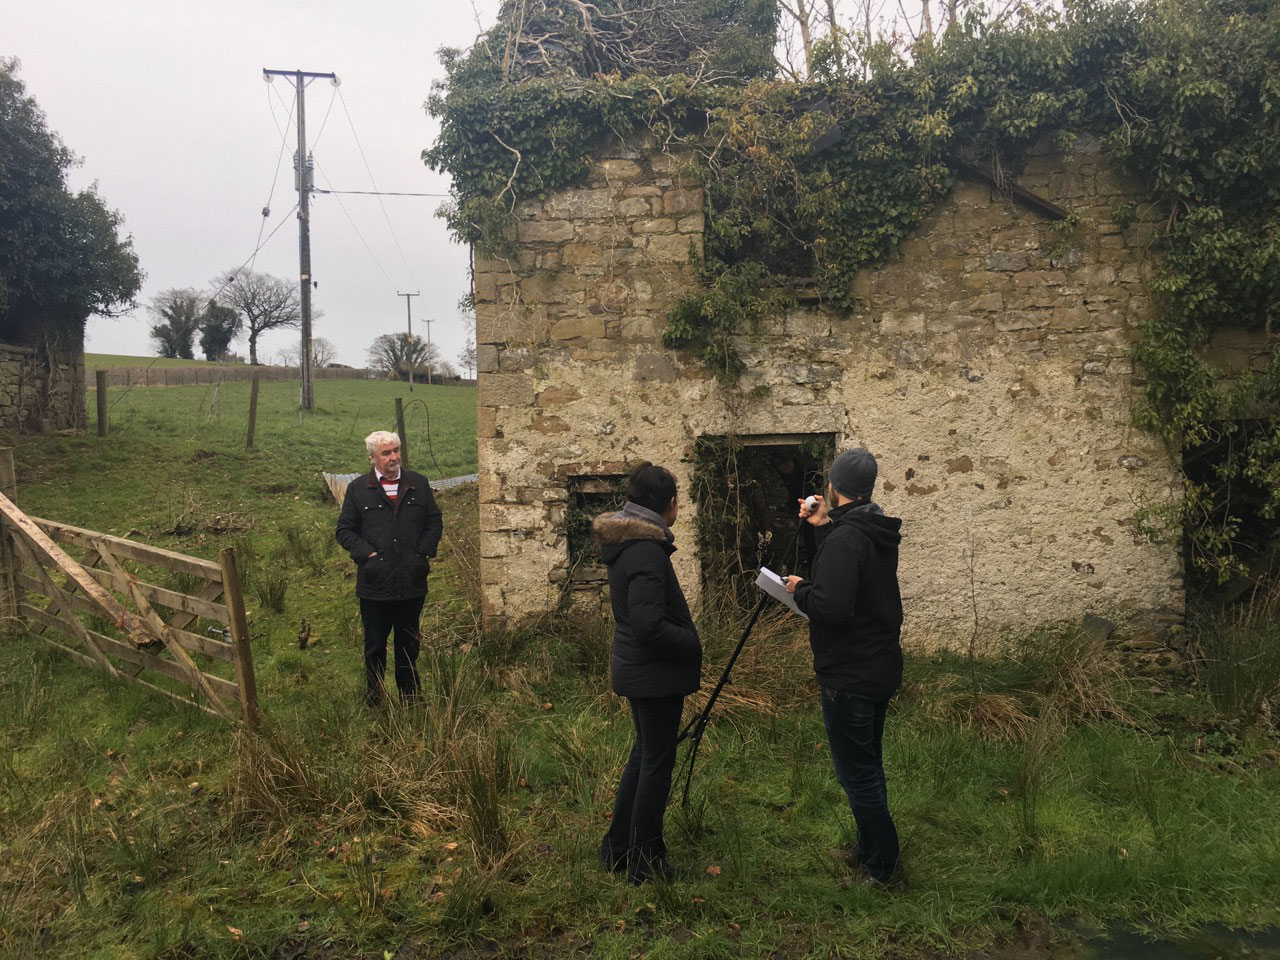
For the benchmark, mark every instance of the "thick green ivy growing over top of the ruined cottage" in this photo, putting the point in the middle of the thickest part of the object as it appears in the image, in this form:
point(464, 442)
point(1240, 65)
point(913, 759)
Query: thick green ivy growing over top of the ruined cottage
point(820, 180)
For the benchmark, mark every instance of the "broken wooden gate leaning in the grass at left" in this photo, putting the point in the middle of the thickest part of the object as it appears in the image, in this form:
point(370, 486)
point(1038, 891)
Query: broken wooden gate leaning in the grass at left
point(103, 610)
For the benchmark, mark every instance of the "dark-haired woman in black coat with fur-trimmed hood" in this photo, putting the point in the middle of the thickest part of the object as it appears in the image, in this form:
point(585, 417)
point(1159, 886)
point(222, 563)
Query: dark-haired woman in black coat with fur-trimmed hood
point(657, 662)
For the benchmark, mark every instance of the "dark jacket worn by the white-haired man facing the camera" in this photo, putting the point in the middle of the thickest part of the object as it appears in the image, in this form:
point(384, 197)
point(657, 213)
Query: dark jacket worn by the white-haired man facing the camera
point(405, 534)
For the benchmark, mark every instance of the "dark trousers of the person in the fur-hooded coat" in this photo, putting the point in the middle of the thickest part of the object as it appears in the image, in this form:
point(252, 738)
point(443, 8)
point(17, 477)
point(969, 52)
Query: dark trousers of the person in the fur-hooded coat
point(634, 839)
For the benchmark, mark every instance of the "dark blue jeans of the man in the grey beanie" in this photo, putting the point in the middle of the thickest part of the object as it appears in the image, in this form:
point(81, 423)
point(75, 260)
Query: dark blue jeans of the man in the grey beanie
point(856, 730)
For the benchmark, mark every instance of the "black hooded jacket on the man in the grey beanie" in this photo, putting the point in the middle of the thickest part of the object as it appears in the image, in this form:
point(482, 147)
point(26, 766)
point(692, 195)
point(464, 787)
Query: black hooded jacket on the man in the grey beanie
point(854, 606)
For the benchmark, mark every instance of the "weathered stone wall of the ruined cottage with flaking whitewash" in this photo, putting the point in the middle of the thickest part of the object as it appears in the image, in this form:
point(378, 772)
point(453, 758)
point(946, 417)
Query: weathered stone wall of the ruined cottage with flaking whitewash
point(988, 367)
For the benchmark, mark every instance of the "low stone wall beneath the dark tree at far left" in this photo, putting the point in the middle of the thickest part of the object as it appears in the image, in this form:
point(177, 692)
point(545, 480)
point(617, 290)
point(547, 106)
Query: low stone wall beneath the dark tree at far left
point(39, 392)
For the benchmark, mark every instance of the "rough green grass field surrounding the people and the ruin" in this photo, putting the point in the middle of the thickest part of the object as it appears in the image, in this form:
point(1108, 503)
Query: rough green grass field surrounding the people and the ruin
point(1040, 785)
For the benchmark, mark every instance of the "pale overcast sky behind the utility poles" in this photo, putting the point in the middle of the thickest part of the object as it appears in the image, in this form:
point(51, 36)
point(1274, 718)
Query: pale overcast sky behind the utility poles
point(164, 102)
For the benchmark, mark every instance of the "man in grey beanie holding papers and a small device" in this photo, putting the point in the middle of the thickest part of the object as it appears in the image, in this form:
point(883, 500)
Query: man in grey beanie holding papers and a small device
point(856, 619)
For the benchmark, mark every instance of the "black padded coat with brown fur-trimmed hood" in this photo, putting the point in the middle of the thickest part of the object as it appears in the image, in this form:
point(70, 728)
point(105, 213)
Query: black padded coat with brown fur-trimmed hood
point(656, 646)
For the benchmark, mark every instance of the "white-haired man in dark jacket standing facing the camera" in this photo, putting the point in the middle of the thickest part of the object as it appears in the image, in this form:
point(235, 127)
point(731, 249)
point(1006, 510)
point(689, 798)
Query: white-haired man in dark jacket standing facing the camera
point(391, 527)
